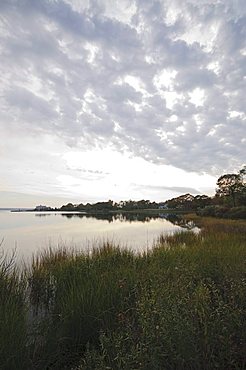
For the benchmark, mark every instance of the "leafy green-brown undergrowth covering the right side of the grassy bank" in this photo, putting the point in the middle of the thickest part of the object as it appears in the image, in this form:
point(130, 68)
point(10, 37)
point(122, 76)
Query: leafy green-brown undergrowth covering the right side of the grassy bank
point(189, 312)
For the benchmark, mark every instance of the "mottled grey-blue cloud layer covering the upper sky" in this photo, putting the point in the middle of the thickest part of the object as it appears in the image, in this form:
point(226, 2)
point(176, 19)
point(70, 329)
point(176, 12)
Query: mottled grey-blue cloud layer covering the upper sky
point(161, 80)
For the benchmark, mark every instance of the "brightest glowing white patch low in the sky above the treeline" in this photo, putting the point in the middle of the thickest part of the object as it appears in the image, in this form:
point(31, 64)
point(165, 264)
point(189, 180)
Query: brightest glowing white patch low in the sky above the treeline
point(123, 175)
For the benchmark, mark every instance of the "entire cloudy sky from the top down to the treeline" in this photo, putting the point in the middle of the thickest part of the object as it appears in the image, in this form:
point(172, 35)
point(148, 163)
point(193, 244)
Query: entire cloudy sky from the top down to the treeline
point(107, 99)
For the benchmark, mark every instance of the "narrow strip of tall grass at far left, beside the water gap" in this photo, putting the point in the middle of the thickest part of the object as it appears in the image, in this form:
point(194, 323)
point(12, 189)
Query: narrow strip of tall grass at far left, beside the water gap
point(13, 317)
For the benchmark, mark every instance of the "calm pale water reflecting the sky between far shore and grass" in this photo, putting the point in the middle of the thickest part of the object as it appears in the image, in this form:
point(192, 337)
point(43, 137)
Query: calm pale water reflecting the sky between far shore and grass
point(30, 232)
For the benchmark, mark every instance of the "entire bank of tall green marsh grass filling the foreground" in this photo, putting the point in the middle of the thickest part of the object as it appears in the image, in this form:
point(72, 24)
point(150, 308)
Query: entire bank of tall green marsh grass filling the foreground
point(180, 305)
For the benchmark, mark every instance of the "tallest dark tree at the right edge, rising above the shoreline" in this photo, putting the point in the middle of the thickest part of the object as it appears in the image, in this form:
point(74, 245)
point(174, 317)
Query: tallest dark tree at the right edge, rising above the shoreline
point(230, 185)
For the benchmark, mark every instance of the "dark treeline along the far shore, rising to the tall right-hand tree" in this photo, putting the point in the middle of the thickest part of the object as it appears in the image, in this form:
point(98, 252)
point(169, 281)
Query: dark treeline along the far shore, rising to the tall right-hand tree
point(229, 201)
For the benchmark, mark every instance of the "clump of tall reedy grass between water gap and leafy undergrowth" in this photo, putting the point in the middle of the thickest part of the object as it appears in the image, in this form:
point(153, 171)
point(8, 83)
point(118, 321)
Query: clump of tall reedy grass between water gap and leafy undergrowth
point(77, 295)
